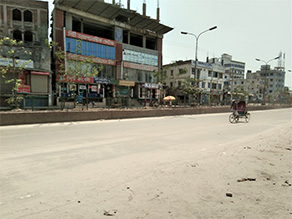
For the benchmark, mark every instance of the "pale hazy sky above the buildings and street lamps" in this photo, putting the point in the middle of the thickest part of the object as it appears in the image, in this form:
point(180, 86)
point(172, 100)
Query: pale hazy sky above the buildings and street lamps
point(246, 30)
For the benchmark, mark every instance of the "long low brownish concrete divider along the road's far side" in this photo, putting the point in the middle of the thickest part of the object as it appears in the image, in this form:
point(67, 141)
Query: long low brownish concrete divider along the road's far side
point(37, 117)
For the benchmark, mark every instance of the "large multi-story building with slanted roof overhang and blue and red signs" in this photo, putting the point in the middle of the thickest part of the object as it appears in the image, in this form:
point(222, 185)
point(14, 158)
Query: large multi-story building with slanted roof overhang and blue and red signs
point(127, 45)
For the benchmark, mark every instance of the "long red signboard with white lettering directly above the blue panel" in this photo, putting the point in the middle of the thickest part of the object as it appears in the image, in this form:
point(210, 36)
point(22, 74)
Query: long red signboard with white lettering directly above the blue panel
point(95, 39)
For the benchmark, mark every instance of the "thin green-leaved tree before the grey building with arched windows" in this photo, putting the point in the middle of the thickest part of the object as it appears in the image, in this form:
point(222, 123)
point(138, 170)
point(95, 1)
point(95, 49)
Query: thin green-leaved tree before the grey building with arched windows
point(13, 48)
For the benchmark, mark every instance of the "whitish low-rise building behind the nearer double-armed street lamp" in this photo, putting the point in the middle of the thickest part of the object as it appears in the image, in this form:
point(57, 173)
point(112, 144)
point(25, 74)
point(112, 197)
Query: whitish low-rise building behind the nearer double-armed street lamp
point(208, 80)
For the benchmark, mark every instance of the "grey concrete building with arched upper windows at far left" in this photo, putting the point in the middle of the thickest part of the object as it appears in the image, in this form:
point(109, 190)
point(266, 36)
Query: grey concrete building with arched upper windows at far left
point(26, 21)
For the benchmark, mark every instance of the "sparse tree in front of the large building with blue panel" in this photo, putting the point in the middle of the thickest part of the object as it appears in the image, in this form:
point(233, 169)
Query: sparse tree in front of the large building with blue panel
point(74, 66)
